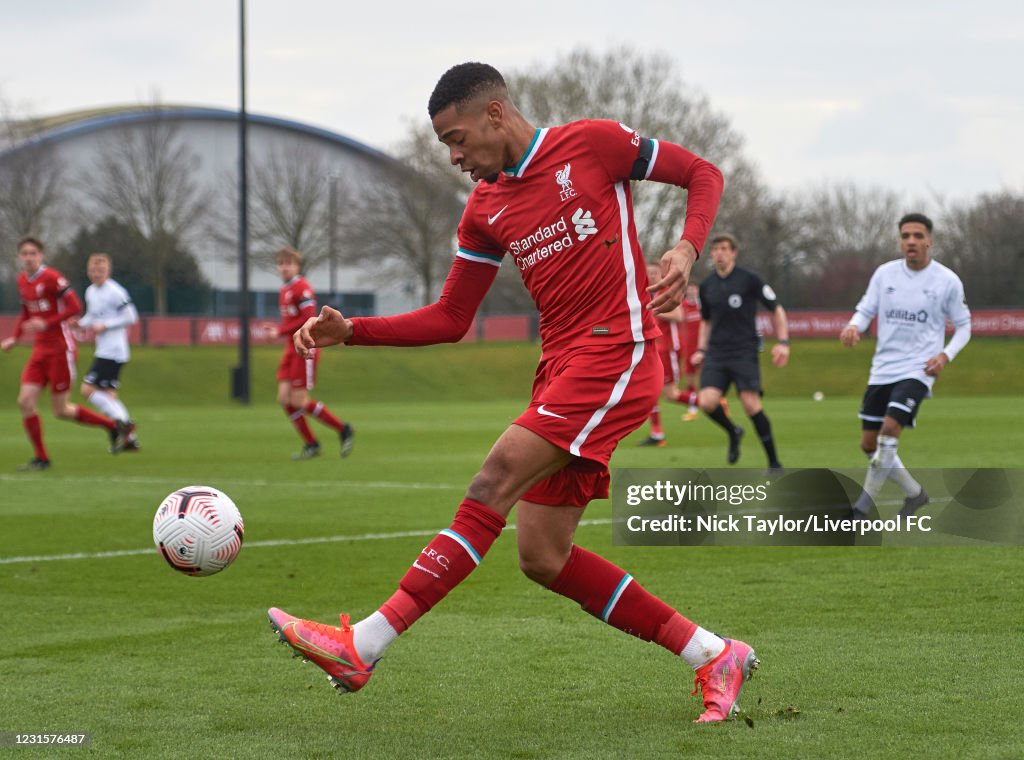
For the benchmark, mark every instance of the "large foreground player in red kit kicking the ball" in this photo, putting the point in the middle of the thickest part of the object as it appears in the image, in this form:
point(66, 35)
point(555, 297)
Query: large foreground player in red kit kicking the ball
point(558, 203)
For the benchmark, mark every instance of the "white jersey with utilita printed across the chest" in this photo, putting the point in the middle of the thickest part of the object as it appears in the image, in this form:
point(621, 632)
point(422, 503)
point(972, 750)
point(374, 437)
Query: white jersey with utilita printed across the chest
point(913, 309)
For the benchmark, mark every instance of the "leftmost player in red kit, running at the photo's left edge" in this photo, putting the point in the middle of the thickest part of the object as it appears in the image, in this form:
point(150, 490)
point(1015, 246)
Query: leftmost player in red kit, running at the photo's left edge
point(48, 304)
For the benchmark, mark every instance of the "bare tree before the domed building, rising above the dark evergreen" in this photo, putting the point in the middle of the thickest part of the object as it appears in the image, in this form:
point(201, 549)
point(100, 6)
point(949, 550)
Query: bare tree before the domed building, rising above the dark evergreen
point(145, 179)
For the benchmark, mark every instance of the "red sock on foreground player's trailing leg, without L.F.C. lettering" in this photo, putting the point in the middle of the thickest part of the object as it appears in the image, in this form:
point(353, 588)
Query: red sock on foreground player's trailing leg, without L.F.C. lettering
point(611, 594)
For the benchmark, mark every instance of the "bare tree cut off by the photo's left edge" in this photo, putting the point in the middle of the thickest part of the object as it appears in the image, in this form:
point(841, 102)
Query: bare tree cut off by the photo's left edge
point(32, 192)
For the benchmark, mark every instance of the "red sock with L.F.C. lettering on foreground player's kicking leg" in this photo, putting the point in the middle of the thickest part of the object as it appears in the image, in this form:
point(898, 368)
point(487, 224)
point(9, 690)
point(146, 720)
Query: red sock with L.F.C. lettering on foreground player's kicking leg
point(444, 564)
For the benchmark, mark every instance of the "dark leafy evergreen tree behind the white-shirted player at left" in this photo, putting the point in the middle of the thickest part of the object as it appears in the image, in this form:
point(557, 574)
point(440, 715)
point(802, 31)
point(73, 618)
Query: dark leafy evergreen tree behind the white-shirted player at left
point(130, 251)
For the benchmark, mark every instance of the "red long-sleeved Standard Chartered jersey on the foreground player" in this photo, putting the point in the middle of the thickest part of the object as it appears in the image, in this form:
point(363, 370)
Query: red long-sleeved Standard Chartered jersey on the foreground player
point(565, 218)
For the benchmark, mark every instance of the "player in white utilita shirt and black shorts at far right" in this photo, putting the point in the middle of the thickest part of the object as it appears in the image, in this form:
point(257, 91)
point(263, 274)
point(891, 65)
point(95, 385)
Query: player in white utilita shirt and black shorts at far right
point(913, 299)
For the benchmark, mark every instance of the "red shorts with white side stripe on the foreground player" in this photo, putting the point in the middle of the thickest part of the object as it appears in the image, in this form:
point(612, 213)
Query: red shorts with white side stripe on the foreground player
point(586, 400)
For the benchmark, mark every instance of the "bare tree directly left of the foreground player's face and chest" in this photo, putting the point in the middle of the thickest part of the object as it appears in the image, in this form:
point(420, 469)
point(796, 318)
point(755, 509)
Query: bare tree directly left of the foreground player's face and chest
point(404, 225)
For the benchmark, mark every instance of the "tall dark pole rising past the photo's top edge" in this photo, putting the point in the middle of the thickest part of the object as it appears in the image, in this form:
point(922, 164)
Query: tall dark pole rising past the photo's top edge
point(242, 373)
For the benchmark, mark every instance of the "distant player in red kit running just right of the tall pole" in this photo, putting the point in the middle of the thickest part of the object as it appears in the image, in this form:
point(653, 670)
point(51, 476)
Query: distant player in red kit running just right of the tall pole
point(296, 374)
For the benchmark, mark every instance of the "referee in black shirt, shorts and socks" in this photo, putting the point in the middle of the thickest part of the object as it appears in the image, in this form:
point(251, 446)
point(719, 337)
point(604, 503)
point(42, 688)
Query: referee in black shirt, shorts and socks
point(729, 345)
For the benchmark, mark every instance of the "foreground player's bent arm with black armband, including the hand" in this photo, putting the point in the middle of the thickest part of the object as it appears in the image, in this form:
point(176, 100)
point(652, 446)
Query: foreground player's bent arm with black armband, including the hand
point(628, 155)
